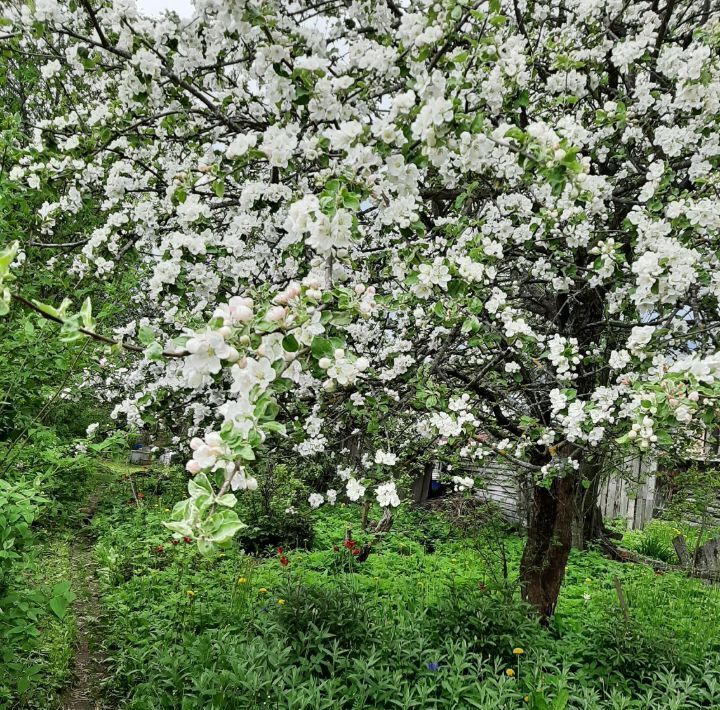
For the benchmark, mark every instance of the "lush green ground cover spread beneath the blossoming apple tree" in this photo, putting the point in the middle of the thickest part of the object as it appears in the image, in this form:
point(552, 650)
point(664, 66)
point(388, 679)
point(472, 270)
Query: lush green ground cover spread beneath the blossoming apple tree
point(430, 619)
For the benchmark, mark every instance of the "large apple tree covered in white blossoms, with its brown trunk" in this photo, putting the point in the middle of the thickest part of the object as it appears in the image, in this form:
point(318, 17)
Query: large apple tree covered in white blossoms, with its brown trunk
point(482, 229)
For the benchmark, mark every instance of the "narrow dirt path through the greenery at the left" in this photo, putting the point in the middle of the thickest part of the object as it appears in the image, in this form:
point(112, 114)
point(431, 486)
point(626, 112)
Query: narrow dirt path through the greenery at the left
point(88, 661)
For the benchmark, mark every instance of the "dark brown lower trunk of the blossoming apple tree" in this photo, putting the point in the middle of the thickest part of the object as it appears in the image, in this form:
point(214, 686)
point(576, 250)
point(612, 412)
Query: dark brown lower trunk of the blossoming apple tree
point(542, 567)
